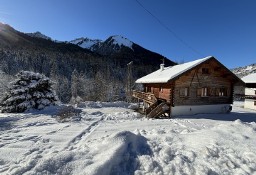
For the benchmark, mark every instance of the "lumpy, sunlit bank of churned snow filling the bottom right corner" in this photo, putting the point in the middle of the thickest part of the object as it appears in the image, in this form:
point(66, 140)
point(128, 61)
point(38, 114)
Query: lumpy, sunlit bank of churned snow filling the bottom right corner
point(218, 150)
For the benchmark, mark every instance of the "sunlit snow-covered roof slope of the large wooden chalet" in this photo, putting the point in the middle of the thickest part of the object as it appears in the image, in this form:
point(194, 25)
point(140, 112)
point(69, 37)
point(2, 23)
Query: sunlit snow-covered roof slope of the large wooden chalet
point(168, 73)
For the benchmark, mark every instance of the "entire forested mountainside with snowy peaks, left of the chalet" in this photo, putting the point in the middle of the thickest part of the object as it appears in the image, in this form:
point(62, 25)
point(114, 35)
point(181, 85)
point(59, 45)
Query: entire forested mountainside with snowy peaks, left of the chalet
point(99, 68)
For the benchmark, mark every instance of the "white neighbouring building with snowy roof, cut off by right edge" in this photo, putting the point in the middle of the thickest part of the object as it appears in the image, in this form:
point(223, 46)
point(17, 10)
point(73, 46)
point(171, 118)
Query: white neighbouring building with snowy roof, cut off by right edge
point(250, 91)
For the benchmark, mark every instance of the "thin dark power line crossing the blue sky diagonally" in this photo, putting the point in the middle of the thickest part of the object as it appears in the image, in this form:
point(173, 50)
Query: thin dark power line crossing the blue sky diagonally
point(169, 30)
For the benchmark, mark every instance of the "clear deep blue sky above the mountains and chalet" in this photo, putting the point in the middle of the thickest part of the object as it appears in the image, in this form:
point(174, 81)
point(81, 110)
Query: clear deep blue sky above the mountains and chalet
point(225, 29)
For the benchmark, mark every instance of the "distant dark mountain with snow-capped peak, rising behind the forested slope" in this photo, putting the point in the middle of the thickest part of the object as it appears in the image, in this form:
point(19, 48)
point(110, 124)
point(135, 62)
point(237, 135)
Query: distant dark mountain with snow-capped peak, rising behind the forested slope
point(120, 48)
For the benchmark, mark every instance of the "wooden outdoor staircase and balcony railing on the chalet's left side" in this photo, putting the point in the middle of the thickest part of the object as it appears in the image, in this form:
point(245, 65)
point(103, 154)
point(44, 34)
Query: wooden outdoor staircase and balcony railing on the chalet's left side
point(157, 107)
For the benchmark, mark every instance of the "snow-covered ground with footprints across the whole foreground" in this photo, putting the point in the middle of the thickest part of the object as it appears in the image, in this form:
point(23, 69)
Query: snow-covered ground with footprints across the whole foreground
point(110, 138)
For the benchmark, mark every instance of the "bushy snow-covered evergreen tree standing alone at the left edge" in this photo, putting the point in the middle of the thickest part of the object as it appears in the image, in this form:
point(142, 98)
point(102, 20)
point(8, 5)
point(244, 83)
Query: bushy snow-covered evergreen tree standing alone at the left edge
point(29, 90)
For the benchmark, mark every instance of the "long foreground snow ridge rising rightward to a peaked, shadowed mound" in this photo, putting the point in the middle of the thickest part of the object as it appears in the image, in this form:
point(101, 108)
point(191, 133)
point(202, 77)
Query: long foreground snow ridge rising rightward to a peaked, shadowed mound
point(117, 154)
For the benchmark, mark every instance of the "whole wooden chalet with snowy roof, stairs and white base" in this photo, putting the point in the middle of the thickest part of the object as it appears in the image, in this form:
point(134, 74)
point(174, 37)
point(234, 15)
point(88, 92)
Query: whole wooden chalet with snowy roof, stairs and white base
point(200, 86)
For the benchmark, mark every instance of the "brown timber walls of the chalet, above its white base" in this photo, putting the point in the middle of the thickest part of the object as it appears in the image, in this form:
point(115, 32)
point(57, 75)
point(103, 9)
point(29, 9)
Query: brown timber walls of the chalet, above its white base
point(208, 83)
